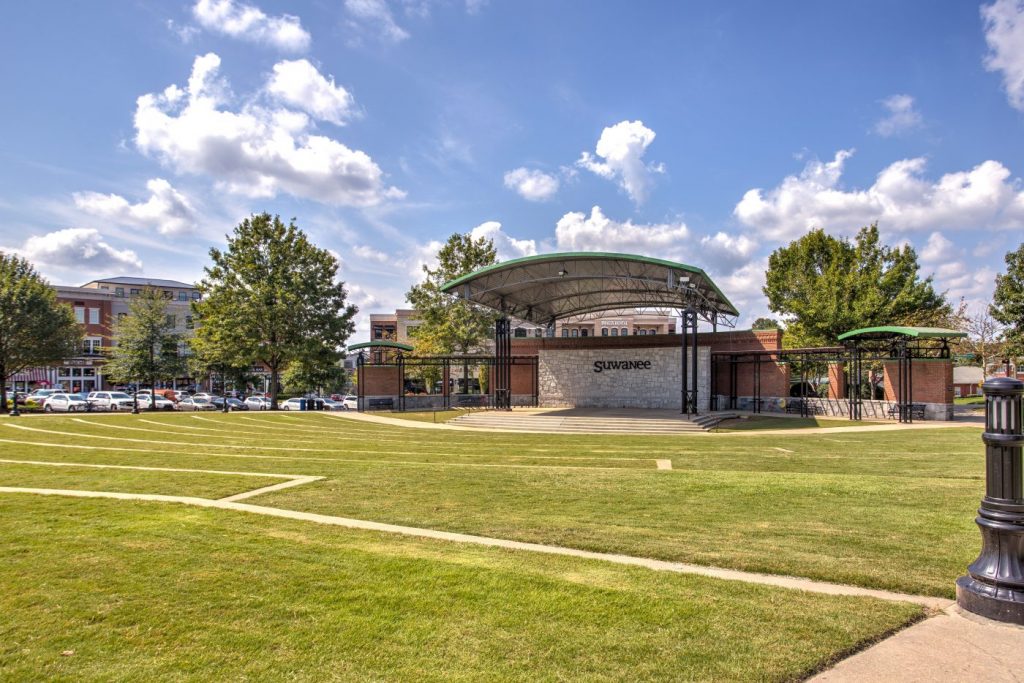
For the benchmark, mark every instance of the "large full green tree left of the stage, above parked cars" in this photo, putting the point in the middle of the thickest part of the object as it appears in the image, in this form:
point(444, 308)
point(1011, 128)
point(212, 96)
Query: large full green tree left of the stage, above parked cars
point(272, 297)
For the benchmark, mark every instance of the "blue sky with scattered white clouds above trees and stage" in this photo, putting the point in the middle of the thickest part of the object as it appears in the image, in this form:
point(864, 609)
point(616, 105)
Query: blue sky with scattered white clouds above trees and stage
point(138, 135)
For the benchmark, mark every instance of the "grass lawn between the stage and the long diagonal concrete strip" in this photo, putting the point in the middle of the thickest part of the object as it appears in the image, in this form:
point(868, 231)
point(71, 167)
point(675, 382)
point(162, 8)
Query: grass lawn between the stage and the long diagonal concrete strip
point(889, 510)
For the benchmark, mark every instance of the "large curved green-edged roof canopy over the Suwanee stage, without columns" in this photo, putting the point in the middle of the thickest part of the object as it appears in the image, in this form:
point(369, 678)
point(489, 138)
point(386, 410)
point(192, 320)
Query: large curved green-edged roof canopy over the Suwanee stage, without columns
point(548, 287)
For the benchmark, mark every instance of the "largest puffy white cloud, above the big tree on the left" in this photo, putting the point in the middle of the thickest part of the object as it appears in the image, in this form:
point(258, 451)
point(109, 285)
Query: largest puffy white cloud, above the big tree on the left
point(257, 152)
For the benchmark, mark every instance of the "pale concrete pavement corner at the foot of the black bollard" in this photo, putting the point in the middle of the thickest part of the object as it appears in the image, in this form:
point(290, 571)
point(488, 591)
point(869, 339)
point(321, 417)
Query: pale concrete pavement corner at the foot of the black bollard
point(953, 647)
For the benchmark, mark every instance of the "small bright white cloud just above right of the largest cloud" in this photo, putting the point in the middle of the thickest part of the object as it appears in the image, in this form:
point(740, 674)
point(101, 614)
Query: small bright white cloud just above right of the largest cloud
point(300, 83)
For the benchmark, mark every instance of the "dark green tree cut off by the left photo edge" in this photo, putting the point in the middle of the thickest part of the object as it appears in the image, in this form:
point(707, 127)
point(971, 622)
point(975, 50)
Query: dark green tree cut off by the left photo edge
point(35, 329)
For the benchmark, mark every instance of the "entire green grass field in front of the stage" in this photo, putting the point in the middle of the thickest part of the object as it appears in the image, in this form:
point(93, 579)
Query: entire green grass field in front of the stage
point(158, 590)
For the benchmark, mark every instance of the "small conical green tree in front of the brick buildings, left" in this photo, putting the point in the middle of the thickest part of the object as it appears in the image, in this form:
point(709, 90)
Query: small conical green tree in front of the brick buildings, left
point(146, 346)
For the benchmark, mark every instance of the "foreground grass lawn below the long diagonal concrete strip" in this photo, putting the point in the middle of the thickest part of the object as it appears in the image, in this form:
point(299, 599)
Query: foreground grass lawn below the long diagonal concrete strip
point(146, 591)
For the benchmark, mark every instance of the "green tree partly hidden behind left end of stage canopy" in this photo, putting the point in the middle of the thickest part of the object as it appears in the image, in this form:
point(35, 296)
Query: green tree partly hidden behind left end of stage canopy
point(450, 324)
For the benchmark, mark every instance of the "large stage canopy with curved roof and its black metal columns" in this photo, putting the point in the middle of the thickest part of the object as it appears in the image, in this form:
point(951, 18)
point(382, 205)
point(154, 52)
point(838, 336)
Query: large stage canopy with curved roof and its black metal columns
point(552, 287)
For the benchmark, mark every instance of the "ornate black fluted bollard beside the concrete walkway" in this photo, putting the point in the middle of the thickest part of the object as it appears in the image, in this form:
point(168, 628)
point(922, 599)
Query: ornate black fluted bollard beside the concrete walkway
point(995, 585)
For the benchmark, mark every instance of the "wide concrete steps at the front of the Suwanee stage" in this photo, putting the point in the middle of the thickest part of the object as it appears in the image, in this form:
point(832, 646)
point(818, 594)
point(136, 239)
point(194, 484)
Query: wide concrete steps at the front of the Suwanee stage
point(591, 424)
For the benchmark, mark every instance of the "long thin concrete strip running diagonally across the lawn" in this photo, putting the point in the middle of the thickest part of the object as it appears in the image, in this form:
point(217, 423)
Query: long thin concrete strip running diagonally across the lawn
point(660, 566)
